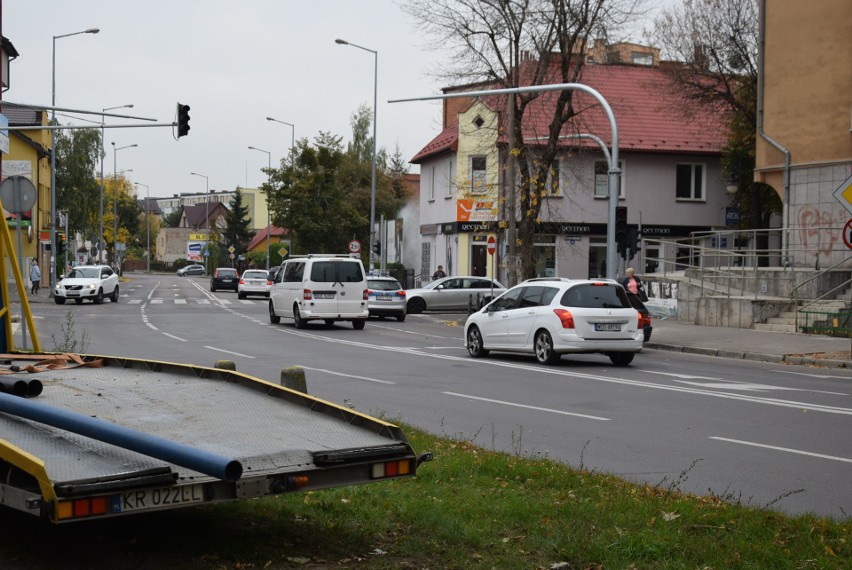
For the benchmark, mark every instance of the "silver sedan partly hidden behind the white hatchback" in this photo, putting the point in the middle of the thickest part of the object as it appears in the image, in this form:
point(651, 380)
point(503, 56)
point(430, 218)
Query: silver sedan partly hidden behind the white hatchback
point(453, 294)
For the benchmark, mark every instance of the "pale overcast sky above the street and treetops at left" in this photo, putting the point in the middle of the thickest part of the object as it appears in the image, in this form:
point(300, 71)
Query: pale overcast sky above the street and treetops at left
point(235, 63)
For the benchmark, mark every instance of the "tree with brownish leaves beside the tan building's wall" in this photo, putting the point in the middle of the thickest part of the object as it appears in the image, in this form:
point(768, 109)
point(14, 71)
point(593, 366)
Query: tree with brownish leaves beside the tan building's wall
point(715, 45)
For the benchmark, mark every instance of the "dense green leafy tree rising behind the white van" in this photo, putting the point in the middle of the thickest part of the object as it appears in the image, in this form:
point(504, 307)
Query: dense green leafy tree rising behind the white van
point(311, 197)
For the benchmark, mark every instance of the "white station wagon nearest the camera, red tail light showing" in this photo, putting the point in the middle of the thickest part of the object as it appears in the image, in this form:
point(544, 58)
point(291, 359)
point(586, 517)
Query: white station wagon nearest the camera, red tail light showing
point(549, 318)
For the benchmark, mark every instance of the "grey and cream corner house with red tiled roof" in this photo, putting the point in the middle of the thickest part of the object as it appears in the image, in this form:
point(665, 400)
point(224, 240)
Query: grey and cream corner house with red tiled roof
point(669, 155)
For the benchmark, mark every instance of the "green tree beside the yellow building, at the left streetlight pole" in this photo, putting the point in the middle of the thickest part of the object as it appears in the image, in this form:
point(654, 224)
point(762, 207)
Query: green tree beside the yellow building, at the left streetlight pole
point(77, 188)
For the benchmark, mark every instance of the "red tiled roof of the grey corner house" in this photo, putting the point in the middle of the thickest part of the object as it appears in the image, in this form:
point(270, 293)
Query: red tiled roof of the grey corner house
point(648, 113)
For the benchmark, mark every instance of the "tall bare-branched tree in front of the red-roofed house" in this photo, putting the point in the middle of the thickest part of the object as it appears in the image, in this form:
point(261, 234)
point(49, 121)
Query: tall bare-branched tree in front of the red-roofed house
point(510, 43)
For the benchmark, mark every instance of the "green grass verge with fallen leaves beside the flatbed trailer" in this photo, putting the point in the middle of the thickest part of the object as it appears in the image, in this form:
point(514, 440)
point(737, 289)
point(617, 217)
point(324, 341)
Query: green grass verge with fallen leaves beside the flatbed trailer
point(469, 508)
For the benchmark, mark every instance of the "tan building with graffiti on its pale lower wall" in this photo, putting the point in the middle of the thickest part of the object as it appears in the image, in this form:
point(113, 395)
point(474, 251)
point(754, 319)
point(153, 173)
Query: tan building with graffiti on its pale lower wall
point(804, 142)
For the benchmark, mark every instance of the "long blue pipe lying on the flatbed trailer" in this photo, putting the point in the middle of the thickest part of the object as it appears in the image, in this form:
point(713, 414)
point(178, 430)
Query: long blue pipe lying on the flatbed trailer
point(140, 442)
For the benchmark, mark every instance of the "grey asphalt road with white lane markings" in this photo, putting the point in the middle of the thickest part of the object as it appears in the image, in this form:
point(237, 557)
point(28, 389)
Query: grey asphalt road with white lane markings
point(765, 434)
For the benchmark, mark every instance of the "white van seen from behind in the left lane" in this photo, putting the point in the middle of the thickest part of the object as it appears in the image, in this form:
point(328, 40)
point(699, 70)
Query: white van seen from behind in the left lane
point(330, 288)
